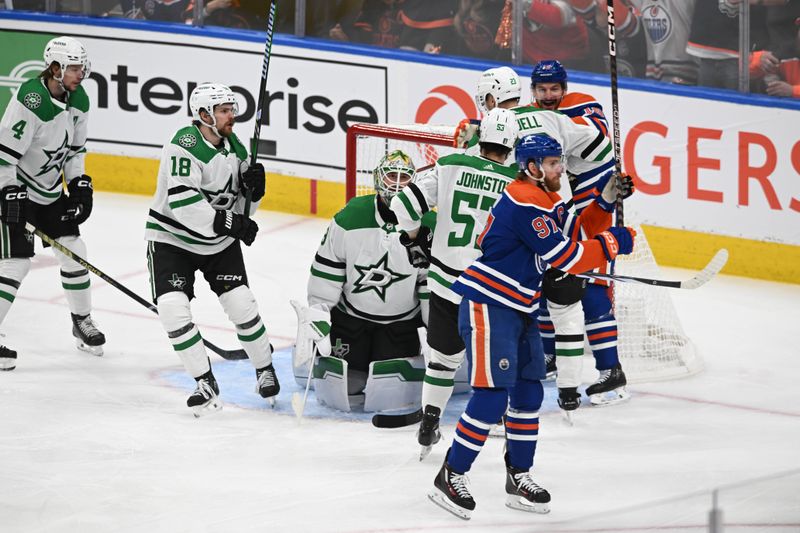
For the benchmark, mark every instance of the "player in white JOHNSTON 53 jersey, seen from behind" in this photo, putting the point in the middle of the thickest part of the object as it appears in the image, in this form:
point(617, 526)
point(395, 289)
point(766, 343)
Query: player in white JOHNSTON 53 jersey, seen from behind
point(464, 187)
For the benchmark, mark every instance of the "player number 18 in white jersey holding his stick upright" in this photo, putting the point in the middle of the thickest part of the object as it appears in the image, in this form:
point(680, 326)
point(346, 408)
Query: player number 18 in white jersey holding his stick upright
point(195, 223)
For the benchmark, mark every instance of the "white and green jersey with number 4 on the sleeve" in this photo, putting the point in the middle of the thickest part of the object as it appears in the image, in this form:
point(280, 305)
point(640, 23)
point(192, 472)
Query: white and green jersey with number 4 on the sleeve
point(41, 136)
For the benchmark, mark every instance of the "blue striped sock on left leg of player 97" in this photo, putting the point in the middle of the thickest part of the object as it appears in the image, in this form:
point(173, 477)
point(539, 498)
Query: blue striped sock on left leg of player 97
point(485, 409)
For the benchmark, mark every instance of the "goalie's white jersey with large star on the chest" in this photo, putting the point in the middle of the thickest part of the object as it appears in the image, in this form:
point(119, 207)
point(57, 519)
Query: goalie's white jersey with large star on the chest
point(361, 267)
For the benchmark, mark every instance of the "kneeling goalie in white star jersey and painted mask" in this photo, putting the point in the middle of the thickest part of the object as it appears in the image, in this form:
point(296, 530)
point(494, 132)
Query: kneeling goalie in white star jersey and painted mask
point(375, 300)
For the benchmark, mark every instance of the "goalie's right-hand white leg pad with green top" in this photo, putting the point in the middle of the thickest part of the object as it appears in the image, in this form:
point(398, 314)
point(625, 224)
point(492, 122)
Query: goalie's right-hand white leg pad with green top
point(394, 384)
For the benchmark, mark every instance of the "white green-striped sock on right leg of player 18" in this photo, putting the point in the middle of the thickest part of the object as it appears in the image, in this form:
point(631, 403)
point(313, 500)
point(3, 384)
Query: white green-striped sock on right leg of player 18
point(240, 306)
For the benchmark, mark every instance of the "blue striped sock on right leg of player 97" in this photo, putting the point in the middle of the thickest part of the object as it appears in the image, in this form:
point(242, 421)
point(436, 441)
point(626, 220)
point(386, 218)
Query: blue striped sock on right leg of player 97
point(522, 423)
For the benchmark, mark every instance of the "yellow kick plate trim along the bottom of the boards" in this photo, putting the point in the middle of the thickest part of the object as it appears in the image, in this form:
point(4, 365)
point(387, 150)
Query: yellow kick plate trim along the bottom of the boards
point(289, 194)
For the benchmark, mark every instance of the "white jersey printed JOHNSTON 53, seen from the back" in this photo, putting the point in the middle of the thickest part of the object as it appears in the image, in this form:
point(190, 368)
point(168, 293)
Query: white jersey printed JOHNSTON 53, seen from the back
point(464, 187)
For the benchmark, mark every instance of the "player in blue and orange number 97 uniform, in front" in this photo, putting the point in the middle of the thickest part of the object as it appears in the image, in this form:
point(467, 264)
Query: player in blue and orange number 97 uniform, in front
point(528, 229)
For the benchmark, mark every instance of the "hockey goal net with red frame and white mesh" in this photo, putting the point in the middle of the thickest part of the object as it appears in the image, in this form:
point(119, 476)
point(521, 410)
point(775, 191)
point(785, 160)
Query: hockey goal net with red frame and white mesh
point(652, 343)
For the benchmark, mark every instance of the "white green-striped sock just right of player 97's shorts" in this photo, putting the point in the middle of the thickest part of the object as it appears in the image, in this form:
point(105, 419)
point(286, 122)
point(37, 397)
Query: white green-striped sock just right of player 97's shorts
point(568, 323)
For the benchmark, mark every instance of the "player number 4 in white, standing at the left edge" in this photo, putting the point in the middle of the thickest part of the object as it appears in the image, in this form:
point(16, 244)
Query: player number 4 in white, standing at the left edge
point(42, 138)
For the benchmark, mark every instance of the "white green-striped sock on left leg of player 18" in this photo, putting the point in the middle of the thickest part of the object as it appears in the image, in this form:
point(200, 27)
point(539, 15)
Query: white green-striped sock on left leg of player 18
point(176, 317)
